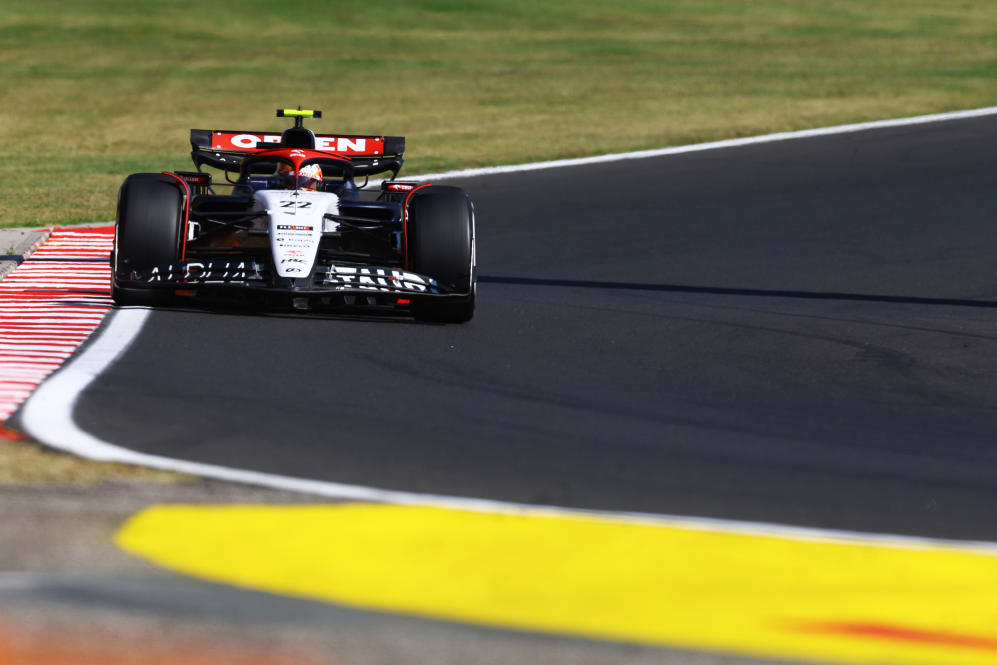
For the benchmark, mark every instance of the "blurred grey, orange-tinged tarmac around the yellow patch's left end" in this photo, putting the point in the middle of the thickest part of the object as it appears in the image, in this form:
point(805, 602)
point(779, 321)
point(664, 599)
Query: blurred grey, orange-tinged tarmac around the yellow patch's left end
point(68, 595)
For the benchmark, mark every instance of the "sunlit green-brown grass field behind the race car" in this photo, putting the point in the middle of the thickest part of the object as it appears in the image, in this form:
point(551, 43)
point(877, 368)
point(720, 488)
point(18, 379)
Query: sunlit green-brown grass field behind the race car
point(94, 91)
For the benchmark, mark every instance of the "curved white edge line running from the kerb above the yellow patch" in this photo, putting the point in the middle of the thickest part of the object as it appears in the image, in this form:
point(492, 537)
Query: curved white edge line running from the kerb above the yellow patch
point(48, 417)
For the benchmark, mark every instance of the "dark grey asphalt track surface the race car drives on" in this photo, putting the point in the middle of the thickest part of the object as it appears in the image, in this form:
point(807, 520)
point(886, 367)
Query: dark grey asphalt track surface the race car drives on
point(799, 332)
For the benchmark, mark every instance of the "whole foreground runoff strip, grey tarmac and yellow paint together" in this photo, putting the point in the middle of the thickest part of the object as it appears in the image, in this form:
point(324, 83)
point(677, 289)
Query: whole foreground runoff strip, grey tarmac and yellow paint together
point(70, 591)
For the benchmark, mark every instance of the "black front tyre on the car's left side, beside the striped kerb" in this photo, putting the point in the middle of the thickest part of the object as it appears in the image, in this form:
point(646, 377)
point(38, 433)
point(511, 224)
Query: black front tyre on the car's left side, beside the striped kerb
point(148, 233)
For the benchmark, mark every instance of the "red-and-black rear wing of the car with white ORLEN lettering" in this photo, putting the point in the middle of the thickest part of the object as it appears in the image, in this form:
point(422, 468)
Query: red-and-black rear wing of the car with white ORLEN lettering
point(225, 149)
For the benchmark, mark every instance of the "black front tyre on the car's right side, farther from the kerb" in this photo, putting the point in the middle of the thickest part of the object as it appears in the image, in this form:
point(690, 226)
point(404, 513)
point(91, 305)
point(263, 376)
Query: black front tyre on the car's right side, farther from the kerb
point(441, 245)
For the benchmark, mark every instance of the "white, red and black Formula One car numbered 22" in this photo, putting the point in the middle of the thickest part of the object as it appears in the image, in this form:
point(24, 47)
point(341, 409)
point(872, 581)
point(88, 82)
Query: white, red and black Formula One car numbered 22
point(294, 229)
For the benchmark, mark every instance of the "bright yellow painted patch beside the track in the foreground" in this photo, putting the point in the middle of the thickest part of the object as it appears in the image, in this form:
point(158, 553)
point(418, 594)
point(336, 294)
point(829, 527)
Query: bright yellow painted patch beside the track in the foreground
point(597, 576)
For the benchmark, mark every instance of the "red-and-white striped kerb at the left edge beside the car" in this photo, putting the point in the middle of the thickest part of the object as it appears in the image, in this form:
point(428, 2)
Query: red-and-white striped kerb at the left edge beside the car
point(48, 306)
